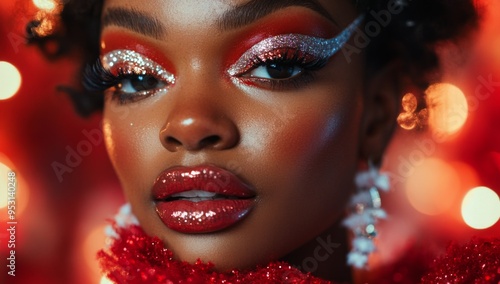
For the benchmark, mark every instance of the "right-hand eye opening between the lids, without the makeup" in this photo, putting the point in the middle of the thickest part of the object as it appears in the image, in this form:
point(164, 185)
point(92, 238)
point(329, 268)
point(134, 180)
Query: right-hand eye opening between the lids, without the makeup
point(275, 71)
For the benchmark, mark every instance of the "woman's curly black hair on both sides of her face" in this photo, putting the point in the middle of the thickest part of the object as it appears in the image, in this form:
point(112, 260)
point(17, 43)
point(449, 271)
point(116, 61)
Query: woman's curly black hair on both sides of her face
point(410, 36)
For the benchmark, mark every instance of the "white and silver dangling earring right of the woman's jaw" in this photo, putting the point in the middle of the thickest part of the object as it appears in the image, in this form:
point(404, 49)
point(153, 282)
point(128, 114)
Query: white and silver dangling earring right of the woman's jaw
point(366, 210)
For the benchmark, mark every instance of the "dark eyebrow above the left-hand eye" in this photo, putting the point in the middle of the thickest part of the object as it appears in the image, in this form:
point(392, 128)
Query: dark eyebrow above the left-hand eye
point(133, 20)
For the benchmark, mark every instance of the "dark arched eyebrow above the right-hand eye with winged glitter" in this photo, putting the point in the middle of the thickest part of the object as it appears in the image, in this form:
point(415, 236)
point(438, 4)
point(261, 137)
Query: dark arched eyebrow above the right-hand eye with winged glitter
point(255, 9)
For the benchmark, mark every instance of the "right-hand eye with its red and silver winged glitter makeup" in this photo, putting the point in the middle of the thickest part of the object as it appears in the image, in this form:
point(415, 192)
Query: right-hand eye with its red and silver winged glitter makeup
point(288, 61)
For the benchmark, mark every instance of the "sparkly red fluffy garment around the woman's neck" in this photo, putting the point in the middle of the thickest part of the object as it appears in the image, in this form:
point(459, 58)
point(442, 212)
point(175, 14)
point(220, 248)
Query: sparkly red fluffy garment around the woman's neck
point(135, 257)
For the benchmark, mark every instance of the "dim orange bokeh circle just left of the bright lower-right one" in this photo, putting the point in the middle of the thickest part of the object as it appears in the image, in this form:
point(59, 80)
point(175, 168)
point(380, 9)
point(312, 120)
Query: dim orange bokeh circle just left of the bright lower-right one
point(433, 186)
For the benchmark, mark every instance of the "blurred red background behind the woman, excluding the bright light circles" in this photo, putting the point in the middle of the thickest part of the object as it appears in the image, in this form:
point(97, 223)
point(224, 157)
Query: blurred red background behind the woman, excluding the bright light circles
point(60, 222)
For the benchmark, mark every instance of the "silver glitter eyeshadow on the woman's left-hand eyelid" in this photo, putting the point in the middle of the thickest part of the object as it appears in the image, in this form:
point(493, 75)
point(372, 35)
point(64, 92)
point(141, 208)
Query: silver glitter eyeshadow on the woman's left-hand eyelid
point(131, 62)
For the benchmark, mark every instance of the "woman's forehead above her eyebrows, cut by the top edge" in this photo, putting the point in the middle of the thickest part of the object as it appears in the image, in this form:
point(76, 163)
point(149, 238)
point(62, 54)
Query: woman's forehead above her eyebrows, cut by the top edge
point(209, 13)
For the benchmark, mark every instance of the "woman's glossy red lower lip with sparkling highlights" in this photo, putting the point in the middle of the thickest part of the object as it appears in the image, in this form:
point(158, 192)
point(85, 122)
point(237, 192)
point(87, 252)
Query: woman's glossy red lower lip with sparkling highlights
point(203, 216)
